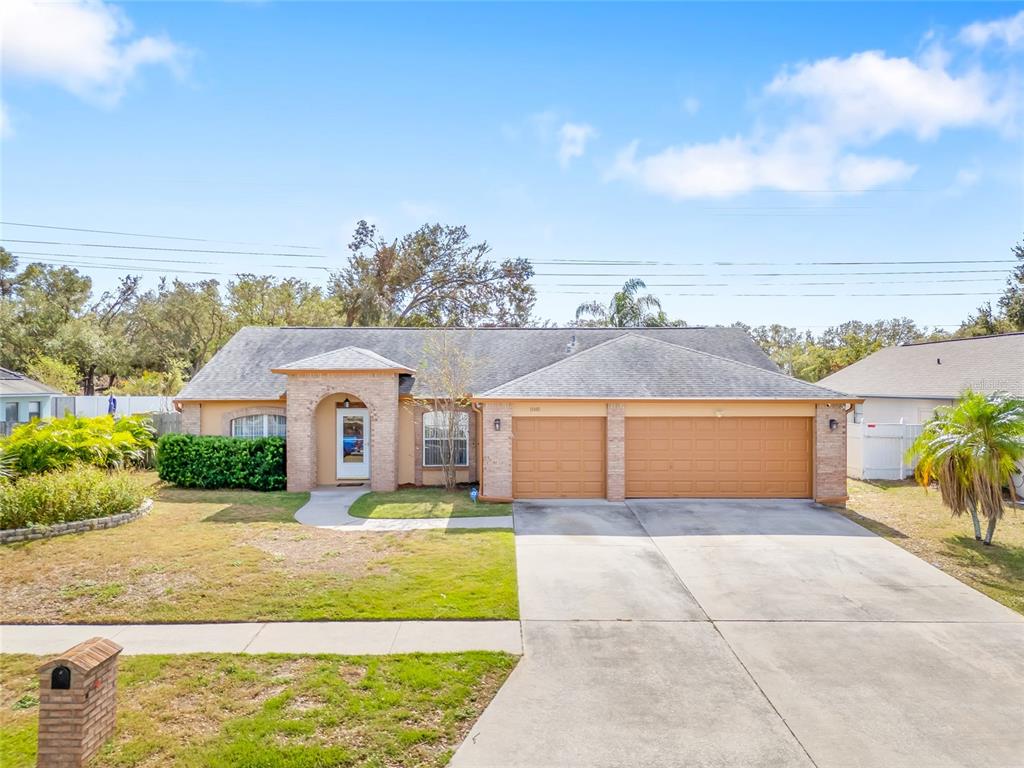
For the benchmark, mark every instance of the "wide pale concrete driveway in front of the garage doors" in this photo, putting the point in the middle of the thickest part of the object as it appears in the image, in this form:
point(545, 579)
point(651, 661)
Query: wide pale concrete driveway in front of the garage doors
point(726, 633)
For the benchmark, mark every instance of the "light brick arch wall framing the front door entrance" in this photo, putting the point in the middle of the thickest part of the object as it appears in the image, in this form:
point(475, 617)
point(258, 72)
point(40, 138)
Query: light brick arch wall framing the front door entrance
point(380, 395)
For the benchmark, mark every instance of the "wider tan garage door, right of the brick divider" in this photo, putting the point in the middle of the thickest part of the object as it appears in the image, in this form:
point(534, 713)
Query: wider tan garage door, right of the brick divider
point(743, 457)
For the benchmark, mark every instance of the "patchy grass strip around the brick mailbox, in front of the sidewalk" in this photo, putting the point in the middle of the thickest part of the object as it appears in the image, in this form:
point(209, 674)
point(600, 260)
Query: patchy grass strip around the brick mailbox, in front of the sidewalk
point(222, 711)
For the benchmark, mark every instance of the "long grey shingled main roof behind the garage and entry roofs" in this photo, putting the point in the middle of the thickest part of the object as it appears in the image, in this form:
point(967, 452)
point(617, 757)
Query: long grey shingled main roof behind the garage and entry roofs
point(242, 370)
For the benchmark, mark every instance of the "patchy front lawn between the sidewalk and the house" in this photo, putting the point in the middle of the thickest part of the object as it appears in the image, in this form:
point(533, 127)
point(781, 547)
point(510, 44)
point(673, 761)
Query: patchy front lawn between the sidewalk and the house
point(240, 556)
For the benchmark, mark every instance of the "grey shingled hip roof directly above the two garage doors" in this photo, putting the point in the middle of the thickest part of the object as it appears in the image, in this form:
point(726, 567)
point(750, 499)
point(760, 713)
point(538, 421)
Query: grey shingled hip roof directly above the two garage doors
point(638, 367)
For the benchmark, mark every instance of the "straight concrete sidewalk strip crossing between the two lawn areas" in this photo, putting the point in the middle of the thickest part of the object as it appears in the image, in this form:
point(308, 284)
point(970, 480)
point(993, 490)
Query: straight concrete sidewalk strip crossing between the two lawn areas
point(273, 637)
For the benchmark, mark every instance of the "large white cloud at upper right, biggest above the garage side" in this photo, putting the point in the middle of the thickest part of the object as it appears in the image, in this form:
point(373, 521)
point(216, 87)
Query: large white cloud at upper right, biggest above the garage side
point(839, 107)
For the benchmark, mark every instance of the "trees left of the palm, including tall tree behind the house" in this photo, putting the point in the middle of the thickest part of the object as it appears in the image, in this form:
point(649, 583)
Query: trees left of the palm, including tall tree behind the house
point(133, 342)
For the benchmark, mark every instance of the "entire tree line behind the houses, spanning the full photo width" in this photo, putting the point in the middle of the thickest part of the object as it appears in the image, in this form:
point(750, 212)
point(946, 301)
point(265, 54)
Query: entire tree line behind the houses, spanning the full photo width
point(133, 342)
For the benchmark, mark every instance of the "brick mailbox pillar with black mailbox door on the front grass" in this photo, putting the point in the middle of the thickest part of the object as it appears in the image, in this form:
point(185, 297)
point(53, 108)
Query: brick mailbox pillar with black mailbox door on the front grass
point(77, 703)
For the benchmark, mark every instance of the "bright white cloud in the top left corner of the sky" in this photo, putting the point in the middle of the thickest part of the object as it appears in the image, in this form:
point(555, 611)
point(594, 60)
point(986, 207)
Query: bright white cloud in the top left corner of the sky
point(87, 48)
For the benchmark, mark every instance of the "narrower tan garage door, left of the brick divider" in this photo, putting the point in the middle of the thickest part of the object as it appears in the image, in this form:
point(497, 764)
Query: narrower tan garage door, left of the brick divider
point(559, 458)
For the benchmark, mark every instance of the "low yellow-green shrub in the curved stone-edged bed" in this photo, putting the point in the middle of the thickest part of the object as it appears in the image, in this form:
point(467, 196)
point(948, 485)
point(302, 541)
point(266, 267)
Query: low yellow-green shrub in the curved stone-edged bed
point(81, 493)
